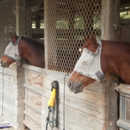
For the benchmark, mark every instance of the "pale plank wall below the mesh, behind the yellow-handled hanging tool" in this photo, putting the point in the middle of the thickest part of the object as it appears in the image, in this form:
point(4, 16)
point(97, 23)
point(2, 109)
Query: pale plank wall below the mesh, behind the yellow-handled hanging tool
point(93, 109)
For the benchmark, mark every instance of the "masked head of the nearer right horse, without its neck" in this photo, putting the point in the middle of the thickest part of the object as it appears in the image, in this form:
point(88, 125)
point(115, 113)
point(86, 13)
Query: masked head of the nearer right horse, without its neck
point(81, 77)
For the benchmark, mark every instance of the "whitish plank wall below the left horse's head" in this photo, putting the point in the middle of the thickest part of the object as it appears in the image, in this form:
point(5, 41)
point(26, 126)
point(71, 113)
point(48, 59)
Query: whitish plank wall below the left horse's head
point(12, 95)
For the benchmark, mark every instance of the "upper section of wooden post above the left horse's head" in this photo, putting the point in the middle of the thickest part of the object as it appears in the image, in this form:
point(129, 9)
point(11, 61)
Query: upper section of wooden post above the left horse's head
point(20, 17)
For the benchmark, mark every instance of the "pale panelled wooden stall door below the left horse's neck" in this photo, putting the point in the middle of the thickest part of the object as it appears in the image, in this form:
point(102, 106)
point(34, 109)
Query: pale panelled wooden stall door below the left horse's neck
point(33, 97)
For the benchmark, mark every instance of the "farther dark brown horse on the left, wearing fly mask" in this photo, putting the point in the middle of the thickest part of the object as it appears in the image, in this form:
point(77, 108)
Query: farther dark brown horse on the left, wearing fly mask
point(21, 47)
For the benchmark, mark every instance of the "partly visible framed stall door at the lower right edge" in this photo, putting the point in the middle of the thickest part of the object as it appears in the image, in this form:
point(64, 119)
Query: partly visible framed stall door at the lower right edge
point(124, 119)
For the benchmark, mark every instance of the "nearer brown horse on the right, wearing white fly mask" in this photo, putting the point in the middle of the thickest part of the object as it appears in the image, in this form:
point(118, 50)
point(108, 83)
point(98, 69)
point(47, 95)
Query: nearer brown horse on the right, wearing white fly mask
point(114, 57)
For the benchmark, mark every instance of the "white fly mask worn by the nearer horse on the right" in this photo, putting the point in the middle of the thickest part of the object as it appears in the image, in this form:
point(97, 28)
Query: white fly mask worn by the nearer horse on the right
point(89, 64)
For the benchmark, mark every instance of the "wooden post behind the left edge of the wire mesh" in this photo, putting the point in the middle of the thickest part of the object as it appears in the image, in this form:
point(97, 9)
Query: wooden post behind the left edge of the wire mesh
point(50, 30)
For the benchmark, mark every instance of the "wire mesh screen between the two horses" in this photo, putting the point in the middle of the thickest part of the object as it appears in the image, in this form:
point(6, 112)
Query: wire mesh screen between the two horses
point(66, 24)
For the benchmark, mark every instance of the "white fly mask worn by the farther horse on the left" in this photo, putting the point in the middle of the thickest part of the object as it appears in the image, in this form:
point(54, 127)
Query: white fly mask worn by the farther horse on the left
point(11, 50)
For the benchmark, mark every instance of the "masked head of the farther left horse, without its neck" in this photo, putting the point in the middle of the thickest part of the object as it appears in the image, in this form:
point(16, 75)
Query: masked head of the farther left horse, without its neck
point(11, 54)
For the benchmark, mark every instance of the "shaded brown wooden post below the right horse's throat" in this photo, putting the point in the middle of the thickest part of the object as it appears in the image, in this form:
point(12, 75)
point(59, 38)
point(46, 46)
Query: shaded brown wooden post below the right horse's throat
point(110, 82)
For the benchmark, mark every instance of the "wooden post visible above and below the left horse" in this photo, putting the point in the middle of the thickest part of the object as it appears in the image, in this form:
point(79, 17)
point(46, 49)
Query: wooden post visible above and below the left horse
point(20, 31)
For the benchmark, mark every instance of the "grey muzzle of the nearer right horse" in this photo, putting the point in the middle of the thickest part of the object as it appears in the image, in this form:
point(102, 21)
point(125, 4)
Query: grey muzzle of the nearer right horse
point(75, 87)
